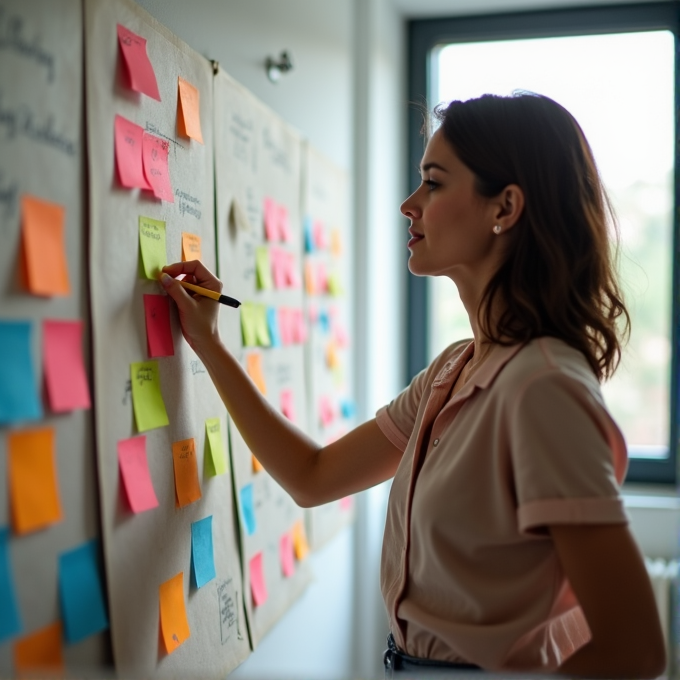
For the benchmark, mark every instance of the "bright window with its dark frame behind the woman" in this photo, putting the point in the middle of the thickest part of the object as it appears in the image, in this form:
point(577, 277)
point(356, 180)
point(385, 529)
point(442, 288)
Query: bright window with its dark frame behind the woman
point(614, 69)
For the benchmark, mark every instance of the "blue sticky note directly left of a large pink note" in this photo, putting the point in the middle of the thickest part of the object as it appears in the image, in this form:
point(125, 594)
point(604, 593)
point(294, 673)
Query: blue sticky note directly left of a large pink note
point(18, 389)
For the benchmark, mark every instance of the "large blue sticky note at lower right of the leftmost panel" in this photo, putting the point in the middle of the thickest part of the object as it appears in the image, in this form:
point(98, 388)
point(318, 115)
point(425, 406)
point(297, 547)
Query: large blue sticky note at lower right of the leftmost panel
point(81, 593)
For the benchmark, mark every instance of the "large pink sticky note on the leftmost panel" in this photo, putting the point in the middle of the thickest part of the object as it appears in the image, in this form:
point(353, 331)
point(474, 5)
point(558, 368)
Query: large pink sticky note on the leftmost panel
point(65, 377)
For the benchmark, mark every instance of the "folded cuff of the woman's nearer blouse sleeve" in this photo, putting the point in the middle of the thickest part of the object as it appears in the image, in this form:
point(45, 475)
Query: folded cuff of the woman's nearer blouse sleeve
point(571, 511)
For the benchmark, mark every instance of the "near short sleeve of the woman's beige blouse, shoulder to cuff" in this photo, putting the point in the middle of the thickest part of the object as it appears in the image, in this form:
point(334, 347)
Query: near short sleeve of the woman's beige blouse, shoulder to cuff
point(568, 455)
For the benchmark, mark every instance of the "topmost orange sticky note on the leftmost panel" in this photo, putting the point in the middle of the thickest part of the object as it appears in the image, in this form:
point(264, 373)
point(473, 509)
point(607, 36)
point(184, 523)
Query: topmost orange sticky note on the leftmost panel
point(43, 242)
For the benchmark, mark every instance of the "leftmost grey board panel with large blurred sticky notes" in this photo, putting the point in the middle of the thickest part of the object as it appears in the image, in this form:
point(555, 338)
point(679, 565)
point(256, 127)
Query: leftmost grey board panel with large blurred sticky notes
point(42, 140)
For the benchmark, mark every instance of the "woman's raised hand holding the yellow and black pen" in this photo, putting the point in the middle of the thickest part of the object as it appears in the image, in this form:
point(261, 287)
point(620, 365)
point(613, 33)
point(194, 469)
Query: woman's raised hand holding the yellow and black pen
point(197, 313)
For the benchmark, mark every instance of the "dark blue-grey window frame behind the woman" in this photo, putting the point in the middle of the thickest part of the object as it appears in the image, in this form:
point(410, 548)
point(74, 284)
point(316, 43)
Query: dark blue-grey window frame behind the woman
point(426, 34)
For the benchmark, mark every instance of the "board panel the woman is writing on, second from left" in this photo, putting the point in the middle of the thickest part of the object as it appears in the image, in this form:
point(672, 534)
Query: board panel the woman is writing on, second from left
point(151, 566)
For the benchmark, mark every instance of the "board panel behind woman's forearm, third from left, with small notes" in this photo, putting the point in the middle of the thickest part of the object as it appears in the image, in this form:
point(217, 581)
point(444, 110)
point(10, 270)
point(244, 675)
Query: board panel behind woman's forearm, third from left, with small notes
point(258, 162)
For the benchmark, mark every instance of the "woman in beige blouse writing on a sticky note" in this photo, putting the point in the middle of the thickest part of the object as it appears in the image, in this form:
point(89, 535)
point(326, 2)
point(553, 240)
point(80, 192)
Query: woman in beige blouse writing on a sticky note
point(506, 544)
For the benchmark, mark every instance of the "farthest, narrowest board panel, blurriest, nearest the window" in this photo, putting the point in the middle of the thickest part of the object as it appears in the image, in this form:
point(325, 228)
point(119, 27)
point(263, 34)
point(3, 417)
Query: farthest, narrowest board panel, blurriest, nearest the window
point(328, 353)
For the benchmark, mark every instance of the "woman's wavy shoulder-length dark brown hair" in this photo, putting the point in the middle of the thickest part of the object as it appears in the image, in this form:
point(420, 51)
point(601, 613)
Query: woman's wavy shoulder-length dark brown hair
point(558, 277)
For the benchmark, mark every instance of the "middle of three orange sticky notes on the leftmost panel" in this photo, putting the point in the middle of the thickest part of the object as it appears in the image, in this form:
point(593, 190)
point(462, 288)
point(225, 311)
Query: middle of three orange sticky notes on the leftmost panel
point(33, 481)
